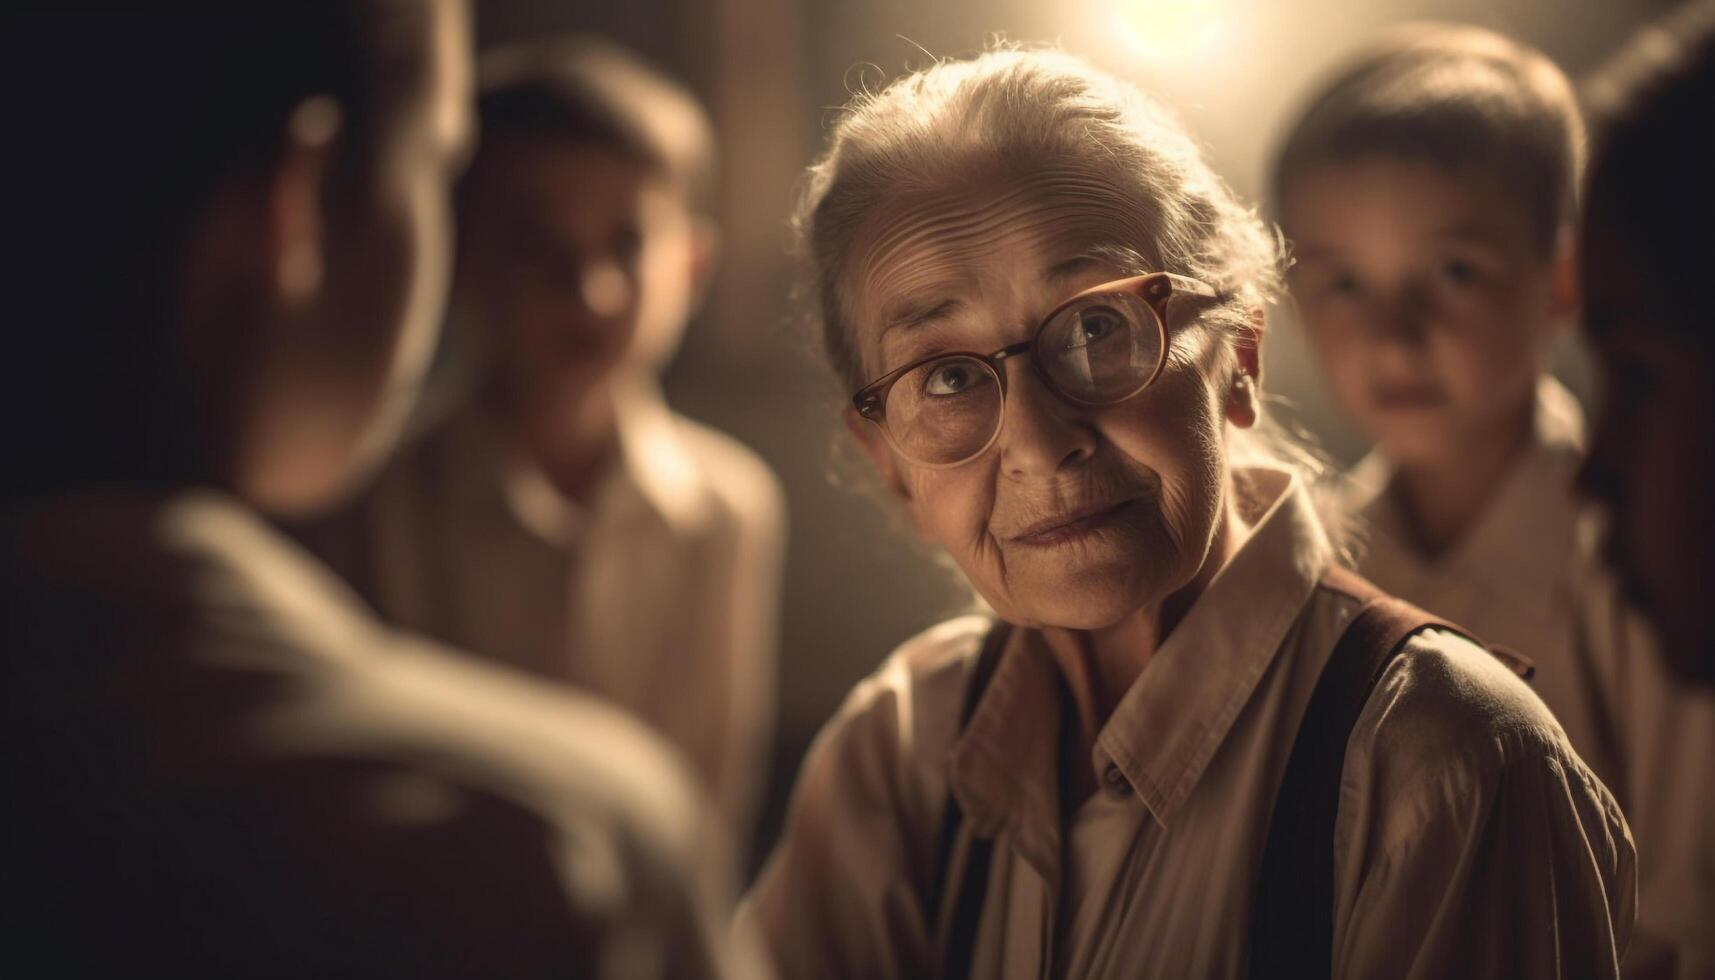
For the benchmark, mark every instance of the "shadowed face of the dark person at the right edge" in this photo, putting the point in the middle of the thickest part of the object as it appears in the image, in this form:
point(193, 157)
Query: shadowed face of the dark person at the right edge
point(1652, 461)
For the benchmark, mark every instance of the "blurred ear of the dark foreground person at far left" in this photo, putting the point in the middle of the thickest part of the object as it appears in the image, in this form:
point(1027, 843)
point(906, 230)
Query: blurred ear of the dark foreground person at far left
point(294, 229)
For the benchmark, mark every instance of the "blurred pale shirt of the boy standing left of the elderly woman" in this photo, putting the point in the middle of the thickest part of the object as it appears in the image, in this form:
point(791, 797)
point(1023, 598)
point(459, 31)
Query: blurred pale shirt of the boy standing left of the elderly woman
point(663, 596)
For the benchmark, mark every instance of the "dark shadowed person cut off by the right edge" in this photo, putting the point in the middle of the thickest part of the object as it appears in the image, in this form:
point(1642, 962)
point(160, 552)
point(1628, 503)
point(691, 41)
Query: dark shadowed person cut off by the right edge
point(1646, 258)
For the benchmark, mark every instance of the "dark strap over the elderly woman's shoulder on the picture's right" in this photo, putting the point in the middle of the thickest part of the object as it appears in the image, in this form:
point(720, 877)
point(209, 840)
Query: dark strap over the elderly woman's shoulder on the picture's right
point(1292, 931)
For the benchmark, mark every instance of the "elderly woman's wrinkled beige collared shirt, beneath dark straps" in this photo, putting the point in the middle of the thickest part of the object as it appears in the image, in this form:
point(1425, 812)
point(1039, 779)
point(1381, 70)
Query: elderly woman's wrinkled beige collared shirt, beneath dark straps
point(1472, 842)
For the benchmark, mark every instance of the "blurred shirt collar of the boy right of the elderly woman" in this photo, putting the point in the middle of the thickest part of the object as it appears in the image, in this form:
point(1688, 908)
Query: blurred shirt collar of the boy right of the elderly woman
point(1534, 505)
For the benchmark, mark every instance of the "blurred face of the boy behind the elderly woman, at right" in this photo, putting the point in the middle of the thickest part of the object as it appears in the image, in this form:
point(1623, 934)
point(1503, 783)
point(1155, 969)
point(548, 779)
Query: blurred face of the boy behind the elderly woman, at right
point(1426, 299)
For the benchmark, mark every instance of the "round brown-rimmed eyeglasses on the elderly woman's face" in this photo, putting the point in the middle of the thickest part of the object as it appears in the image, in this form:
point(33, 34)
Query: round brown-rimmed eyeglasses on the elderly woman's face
point(1100, 348)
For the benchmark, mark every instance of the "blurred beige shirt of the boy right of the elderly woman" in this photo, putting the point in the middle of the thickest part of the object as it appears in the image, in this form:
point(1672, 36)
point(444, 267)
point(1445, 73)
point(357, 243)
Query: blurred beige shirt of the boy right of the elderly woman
point(1527, 578)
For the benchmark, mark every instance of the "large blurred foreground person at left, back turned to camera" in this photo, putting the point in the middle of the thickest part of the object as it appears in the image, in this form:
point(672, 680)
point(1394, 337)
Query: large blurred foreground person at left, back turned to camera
point(229, 243)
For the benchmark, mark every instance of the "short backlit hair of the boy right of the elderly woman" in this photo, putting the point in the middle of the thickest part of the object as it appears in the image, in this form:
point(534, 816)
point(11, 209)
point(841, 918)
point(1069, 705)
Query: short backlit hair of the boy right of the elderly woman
point(1455, 97)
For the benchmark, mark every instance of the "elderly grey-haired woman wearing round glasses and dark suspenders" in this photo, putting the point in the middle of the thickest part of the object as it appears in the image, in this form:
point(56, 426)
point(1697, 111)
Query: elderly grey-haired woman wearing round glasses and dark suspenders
point(1049, 313)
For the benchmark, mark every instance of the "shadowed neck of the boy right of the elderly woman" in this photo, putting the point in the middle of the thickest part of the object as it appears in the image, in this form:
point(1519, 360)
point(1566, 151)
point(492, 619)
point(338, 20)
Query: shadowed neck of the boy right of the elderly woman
point(1441, 500)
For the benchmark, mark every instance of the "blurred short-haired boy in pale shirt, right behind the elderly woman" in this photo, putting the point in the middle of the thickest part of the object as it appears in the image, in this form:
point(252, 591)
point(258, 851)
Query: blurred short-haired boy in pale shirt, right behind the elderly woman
point(1429, 193)
